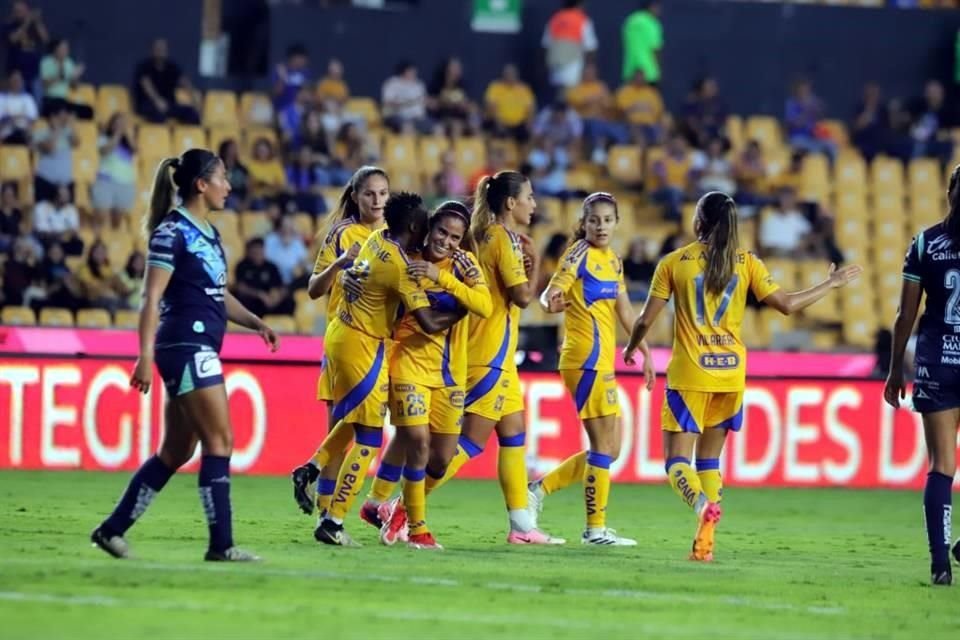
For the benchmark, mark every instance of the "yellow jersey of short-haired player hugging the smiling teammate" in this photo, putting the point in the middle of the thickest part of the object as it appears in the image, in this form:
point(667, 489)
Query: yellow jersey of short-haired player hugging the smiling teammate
point(381, 268)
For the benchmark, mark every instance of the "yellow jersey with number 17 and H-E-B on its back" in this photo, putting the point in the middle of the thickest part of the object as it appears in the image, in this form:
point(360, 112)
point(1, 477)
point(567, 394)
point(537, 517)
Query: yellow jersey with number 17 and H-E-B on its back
point(708, 352)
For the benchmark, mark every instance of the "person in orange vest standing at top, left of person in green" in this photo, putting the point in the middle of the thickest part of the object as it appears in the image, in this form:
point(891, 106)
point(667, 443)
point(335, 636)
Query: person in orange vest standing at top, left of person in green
point(569, 41)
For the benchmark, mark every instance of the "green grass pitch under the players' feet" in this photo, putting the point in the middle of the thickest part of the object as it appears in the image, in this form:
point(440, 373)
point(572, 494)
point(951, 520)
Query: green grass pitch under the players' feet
point(791, 564)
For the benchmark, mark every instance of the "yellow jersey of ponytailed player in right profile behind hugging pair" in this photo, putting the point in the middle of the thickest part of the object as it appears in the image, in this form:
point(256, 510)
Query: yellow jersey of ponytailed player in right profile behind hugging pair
point(493, 340)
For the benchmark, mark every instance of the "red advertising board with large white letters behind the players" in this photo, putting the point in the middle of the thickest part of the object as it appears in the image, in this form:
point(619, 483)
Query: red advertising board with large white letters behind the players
point(69, 413)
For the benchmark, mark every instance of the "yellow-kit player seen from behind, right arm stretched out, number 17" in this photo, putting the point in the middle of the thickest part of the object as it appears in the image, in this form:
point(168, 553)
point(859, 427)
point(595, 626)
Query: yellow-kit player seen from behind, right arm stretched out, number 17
point(709, 280)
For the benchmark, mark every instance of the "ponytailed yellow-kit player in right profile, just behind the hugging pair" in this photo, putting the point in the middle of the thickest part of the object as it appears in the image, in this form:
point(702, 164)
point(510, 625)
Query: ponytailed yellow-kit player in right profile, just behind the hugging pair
point(503, 203)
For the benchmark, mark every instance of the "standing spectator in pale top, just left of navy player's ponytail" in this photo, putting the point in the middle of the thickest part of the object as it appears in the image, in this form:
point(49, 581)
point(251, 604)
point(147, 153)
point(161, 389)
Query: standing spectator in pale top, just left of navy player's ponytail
point(115, 188)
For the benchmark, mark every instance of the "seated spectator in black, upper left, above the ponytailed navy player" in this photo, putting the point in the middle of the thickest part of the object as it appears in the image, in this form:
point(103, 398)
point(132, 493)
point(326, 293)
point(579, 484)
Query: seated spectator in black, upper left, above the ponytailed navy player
point(155, 85)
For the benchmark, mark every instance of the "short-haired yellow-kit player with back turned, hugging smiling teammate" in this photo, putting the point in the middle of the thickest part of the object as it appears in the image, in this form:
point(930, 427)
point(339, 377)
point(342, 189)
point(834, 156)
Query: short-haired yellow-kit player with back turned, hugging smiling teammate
point(357, 351)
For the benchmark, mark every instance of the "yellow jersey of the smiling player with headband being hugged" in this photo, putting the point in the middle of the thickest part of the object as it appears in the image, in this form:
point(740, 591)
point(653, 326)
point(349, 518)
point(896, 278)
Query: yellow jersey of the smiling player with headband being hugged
point(440, 359)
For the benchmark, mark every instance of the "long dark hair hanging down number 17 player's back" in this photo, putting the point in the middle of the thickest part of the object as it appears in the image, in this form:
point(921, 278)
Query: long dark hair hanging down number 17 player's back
point(716, 225)
